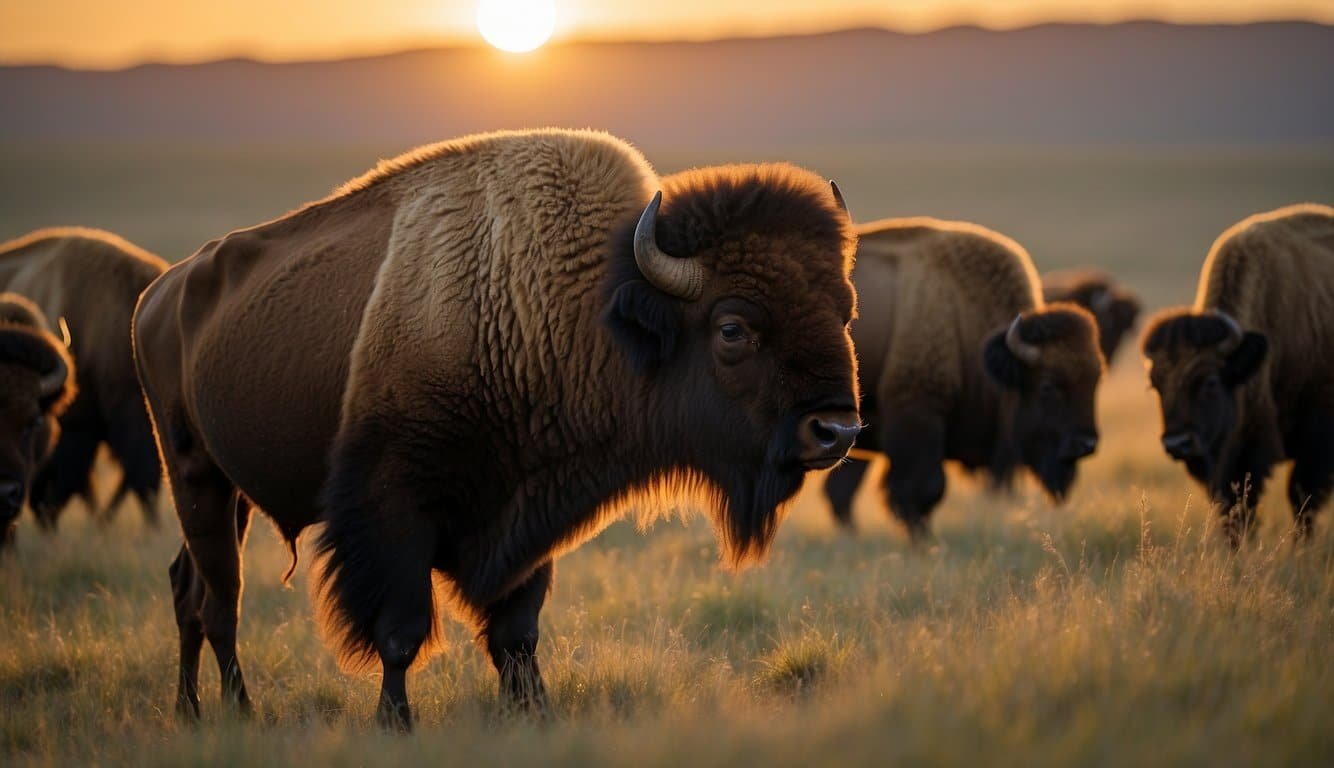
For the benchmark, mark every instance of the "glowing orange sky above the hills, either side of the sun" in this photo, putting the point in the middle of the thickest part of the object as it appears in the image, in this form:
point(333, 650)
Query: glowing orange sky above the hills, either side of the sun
point(106, 34)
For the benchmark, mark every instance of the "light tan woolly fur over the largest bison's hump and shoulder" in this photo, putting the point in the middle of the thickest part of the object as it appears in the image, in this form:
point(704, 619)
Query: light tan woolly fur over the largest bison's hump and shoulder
point(484, 299)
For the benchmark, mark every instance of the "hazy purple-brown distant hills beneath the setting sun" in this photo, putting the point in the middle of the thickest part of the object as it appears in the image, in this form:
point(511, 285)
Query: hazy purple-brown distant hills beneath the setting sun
point(1127, 83)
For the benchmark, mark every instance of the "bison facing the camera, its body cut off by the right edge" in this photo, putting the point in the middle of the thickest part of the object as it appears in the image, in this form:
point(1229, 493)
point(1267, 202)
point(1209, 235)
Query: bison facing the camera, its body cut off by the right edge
point(1244, 377)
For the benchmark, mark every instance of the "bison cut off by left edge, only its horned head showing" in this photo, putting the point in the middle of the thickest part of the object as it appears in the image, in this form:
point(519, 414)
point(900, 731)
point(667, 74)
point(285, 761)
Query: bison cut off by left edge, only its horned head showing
point(37, 386)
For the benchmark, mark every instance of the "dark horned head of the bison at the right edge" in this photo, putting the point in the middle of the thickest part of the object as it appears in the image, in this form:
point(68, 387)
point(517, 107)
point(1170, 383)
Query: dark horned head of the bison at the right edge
point(1197, 363)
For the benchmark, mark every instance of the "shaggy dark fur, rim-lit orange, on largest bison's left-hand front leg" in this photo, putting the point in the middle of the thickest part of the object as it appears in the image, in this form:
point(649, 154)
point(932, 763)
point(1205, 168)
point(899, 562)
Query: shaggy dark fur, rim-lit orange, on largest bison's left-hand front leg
point(373, 591)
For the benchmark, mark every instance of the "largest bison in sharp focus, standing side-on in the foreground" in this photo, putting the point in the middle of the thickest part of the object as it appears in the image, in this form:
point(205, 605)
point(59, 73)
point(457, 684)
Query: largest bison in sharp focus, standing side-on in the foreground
point(472, 361)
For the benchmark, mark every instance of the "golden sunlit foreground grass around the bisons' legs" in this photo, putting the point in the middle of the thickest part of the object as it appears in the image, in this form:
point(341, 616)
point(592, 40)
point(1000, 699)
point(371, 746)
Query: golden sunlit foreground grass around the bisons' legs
point(1115, 631)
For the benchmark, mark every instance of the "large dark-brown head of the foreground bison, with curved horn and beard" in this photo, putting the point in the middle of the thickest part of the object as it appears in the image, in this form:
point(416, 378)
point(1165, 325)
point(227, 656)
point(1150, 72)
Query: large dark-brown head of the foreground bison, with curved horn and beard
point(733, 305)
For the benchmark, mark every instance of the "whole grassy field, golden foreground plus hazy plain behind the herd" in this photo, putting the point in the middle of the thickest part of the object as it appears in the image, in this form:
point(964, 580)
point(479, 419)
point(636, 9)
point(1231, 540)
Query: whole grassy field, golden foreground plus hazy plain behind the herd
point(1116, 630)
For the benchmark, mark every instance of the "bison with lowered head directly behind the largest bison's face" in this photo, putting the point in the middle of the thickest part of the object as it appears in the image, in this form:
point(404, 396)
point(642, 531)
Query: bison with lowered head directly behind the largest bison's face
point(961, 361)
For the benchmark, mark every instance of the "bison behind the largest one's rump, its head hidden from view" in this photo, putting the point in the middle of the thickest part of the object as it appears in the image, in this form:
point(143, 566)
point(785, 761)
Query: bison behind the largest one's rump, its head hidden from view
point(93, 281)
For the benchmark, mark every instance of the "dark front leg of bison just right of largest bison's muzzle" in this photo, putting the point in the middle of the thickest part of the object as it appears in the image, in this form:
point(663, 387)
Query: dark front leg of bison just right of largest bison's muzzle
point(916, 481)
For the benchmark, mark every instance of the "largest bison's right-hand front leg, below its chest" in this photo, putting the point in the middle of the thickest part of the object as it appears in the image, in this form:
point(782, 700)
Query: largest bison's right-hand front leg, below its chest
point(512, 635)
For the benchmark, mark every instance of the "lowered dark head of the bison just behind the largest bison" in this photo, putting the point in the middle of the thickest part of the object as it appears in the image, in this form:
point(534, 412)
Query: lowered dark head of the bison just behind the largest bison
point(1049, 363)
